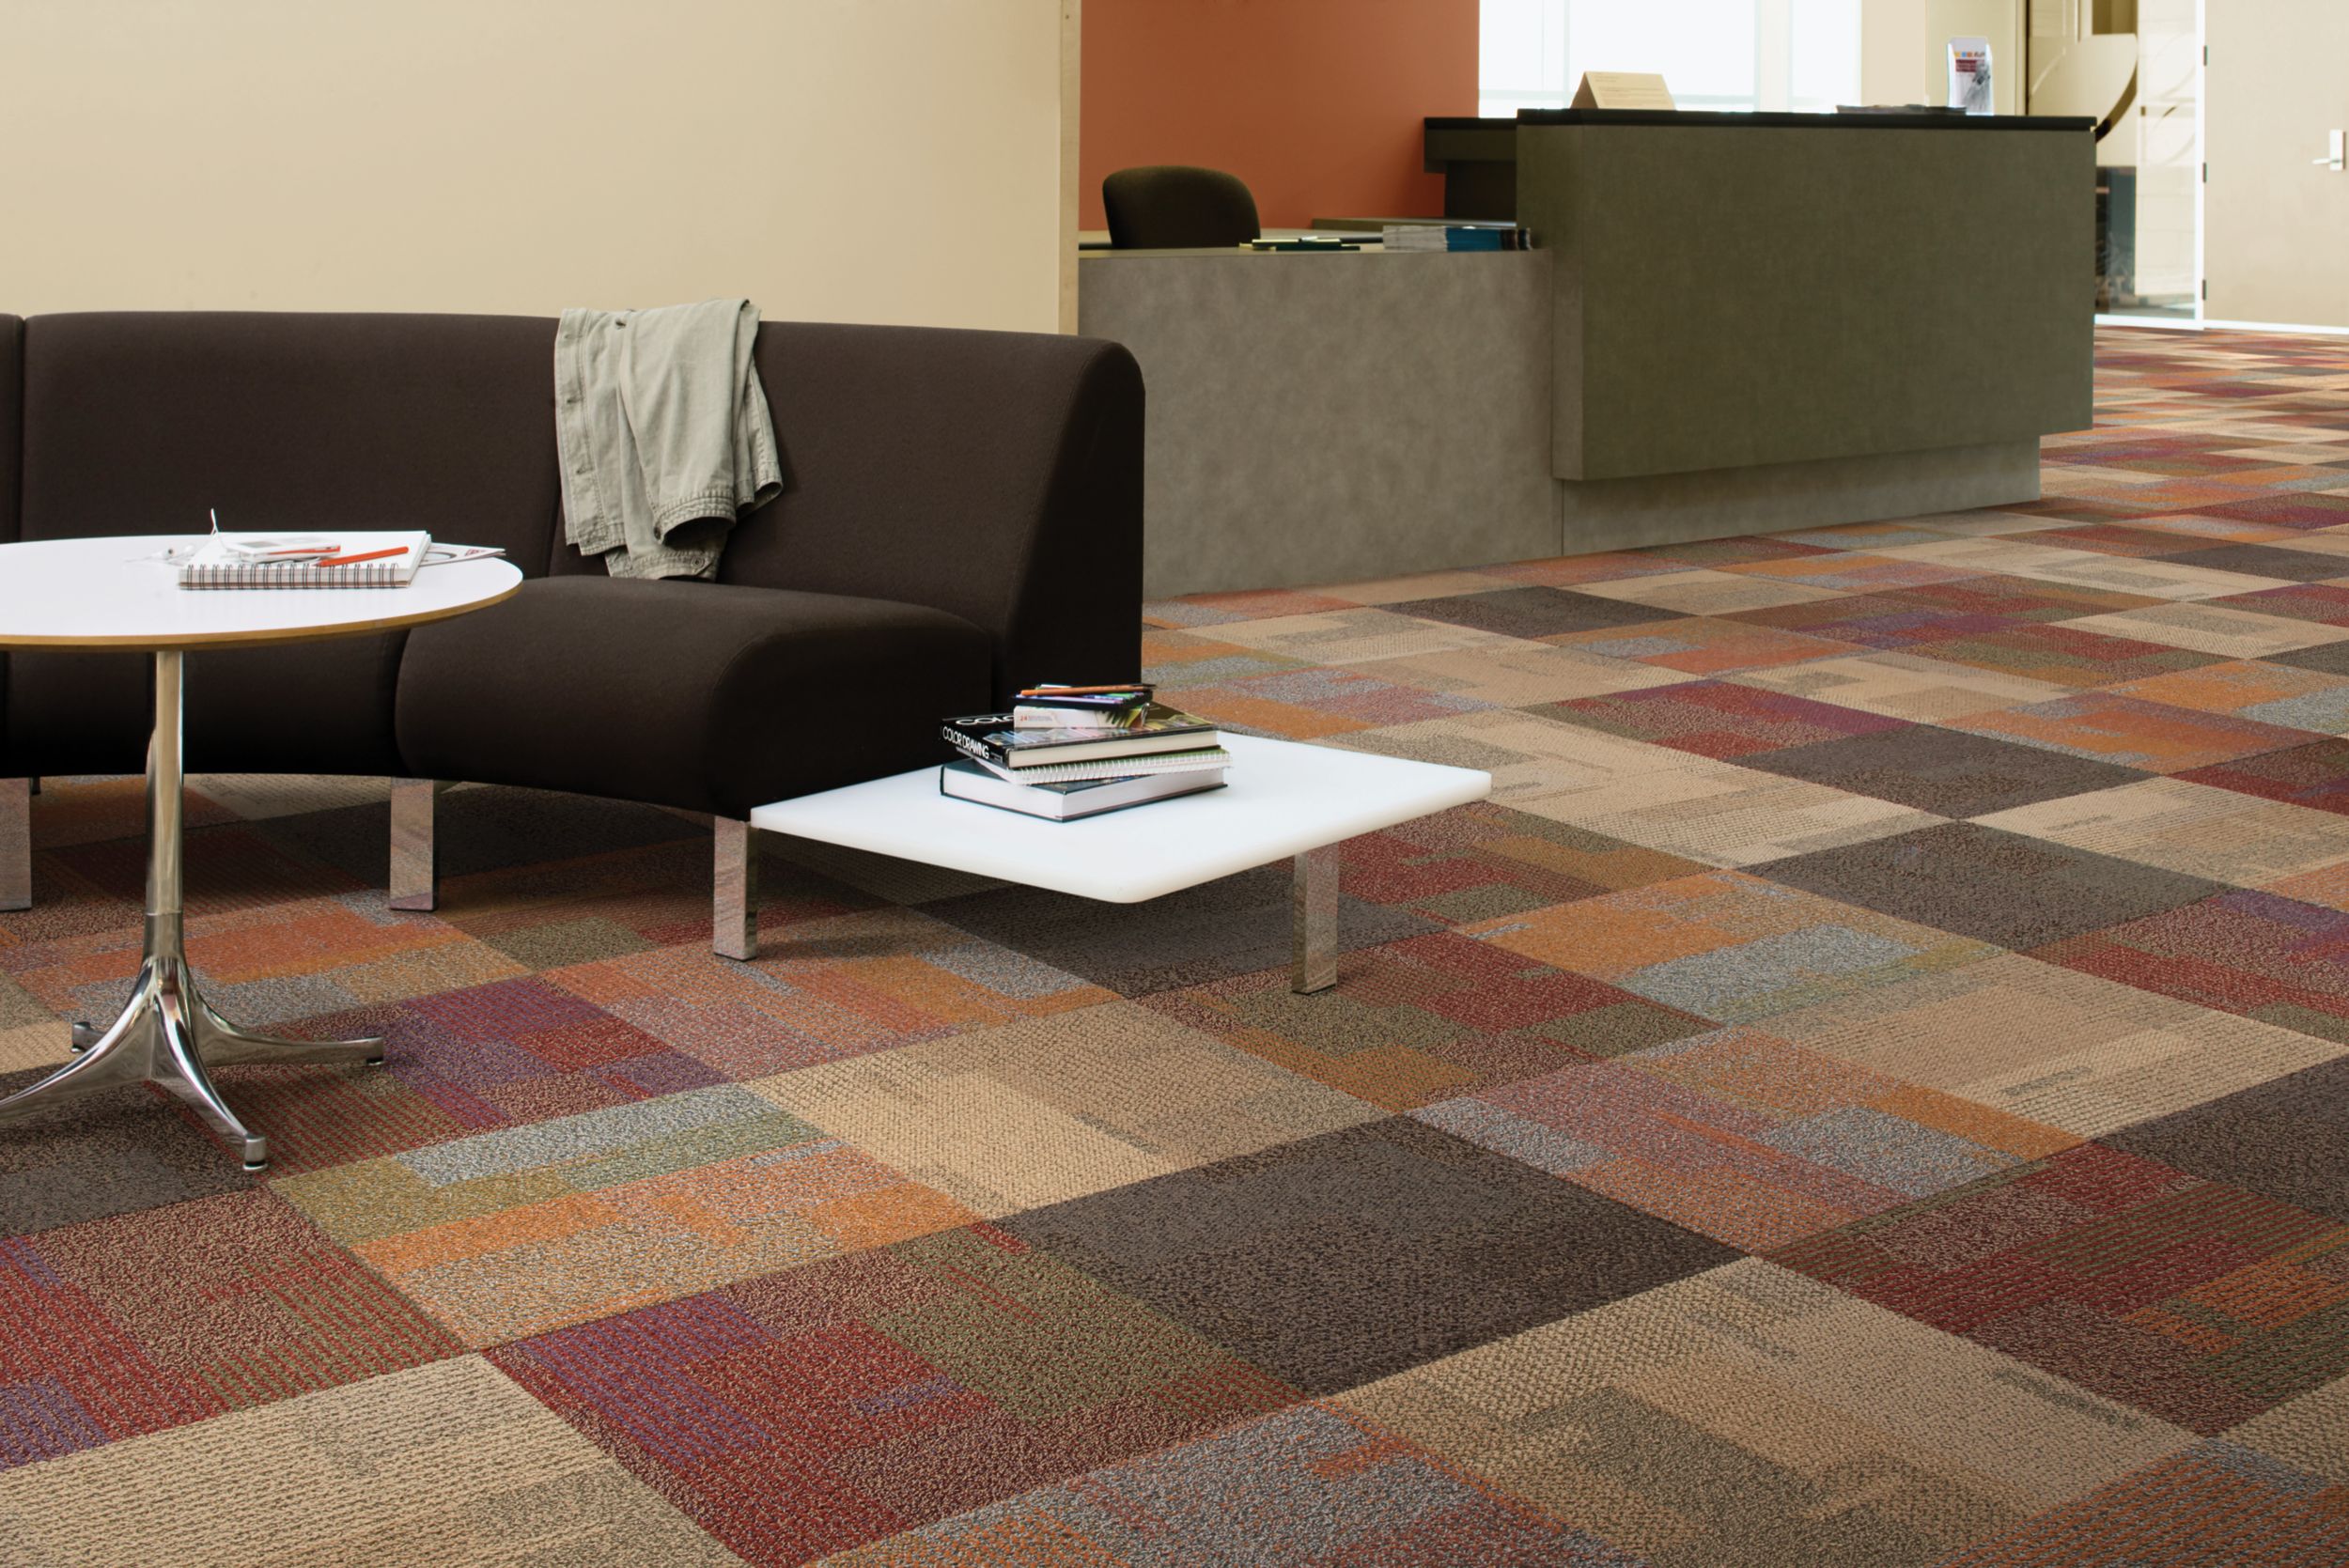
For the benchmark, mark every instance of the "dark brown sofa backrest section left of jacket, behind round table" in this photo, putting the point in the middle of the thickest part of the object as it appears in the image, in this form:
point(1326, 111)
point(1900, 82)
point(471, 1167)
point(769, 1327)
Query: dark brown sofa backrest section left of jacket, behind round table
point(140, 421)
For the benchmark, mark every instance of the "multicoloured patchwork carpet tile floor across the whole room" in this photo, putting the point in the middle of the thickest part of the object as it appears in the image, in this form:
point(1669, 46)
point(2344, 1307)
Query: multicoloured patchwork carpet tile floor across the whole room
point(1869, 1090)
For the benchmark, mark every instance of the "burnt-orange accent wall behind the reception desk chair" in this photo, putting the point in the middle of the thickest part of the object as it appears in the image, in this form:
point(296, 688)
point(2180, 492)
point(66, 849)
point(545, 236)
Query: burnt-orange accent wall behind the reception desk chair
point(1317, 104)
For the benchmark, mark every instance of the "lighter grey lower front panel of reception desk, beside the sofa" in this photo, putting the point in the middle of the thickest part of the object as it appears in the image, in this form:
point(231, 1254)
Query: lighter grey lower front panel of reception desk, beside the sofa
point(1328, 419)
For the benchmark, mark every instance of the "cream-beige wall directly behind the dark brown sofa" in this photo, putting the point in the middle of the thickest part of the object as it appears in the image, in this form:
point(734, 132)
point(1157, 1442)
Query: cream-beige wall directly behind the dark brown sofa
point(875, 161)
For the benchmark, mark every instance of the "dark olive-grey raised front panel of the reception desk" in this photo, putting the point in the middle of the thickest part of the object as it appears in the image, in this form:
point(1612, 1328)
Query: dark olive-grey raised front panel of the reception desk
point(1735, 297)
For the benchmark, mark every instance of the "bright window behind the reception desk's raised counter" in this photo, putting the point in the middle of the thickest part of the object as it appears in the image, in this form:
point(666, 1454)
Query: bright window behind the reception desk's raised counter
point(1735, 55)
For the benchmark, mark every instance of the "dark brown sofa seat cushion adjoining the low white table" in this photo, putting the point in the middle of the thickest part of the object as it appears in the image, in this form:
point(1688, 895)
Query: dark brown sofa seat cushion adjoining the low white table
point(696, 696)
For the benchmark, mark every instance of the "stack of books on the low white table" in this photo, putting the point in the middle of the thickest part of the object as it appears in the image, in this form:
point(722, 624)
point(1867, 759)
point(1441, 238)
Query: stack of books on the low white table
point(1072, 752)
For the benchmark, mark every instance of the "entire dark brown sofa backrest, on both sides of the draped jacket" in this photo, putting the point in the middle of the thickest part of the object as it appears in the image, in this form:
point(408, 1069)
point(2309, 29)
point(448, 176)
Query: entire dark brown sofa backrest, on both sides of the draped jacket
point(981, 473)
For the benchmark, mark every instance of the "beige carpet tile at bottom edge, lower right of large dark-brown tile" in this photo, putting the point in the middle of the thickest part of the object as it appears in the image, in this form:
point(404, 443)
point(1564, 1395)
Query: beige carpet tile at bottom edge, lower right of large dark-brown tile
point(1754, 1417)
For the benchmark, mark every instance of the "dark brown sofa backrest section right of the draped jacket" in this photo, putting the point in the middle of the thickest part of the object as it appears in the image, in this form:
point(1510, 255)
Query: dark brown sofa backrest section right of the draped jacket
point(981, 473)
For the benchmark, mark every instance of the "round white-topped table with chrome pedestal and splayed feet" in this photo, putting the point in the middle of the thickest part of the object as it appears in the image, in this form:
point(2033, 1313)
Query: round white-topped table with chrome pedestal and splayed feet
point(116, 595)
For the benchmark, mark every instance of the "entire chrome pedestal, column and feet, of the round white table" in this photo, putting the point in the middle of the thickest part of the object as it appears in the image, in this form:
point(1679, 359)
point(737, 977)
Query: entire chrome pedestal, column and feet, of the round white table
point(168, 1034)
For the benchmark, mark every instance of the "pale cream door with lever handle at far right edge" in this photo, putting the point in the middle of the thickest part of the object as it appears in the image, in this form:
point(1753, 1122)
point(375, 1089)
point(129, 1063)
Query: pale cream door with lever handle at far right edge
point(2275, 224)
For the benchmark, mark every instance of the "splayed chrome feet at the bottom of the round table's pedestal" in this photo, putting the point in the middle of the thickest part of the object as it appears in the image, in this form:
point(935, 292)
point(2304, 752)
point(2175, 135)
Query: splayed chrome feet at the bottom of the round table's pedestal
point(168, 1036)
